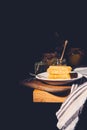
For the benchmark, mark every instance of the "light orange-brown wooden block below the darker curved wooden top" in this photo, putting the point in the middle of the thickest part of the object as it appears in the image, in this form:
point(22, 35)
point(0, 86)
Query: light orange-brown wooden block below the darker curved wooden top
point(46, 97)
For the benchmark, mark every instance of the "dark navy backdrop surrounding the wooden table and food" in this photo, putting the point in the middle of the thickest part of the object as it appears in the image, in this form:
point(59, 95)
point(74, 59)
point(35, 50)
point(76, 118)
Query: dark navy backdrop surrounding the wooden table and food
point(29, 29)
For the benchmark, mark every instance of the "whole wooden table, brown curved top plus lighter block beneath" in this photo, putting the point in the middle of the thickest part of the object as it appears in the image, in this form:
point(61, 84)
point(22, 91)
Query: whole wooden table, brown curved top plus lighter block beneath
point(43, 92)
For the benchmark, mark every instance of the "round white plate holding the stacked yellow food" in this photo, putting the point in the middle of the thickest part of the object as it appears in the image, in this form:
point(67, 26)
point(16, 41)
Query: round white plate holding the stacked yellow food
point(44, 77)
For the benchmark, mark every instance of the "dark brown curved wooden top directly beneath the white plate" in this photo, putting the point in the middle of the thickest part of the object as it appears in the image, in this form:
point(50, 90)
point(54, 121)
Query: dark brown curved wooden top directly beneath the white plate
point(37, 84)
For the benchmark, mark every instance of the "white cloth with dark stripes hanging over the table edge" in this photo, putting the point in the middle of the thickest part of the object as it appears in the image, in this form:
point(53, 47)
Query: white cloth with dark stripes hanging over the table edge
point(68, 114)
